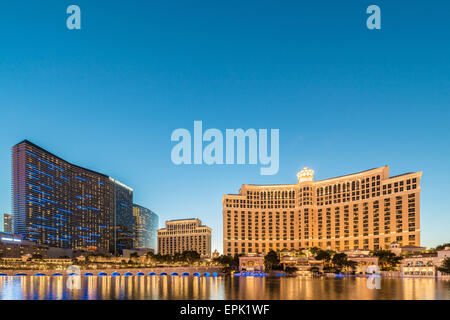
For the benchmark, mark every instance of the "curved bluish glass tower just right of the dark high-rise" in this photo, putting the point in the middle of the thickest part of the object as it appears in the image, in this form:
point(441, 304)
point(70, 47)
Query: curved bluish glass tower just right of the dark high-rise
point(147, 223)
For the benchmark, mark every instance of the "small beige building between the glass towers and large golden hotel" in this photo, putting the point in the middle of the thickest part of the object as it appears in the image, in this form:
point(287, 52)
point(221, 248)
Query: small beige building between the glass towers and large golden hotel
point(185, 235)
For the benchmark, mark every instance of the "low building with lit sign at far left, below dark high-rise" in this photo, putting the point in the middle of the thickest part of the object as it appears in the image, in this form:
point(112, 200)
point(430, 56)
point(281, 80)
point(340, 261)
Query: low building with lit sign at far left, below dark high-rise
point(13, 246)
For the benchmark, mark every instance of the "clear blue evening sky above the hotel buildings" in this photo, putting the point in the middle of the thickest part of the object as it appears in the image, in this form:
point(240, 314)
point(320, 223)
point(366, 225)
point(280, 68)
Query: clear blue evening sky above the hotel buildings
point(345, 99)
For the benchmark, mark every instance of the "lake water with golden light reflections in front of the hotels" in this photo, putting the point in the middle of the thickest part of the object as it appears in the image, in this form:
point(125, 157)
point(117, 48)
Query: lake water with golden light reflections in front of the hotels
point(168, 287)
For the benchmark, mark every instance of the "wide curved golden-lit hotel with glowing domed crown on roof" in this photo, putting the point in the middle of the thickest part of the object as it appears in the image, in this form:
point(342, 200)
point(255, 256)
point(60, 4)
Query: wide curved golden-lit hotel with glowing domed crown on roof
point(365, 210)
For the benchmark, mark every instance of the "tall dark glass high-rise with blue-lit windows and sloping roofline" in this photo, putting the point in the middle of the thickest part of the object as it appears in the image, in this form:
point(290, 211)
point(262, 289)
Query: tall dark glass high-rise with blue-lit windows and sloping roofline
point(58, 204)
